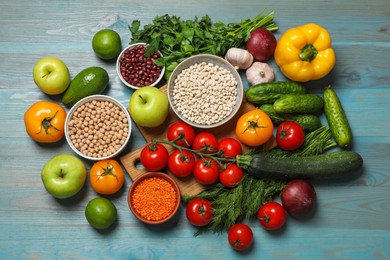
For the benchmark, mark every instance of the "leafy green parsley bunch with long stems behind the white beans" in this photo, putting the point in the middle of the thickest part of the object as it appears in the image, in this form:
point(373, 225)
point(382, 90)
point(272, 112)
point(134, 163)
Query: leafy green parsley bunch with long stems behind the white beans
point(179, 39)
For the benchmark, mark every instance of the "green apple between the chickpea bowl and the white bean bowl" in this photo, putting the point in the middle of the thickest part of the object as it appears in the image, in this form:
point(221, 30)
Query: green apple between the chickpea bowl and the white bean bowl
point(148, 106)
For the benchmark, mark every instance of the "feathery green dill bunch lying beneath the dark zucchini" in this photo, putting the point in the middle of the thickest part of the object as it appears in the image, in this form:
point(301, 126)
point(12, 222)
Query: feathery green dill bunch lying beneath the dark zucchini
point(233, 205)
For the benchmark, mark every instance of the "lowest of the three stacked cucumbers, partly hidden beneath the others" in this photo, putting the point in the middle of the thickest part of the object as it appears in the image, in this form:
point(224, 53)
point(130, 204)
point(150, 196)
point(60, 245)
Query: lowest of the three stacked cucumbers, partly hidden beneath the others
point(309, 122)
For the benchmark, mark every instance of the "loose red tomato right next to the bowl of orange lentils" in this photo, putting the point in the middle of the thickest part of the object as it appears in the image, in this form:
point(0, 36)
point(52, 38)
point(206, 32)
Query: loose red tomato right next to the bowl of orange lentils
point(199, 212)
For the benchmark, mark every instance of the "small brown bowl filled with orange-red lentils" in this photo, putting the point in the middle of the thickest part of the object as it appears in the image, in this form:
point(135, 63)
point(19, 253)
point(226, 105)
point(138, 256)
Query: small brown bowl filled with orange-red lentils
point(154, 198)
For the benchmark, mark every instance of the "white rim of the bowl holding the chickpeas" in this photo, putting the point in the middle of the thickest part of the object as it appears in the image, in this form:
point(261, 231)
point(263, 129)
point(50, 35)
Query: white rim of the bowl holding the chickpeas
point(87, 100)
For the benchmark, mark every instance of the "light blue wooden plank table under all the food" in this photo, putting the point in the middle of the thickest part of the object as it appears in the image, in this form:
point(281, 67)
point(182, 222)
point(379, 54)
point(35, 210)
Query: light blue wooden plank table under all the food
point(353, 217)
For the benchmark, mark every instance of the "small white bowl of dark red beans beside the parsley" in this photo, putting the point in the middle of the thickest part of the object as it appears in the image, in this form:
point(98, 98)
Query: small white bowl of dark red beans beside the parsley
point(136, 67)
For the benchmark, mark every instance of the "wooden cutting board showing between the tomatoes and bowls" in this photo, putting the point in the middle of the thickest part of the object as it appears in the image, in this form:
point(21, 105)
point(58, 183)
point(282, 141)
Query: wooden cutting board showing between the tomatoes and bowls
point(188, 185)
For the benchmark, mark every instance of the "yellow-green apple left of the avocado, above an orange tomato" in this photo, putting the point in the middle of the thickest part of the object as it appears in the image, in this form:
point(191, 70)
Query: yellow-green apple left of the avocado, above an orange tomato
point(51, 75)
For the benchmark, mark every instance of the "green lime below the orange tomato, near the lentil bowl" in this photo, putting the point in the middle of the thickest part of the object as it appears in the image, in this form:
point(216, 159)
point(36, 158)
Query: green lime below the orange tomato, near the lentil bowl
point(101, 213)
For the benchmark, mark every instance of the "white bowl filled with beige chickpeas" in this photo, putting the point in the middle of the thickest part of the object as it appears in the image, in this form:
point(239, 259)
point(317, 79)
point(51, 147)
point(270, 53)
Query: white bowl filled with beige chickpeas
point(98, 127)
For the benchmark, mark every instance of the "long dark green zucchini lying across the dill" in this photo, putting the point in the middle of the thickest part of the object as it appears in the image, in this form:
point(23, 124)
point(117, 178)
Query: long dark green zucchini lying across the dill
point(324, 166)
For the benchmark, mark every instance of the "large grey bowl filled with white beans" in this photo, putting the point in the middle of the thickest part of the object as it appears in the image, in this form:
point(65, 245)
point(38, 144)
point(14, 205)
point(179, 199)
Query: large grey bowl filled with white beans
point(205, 91)
